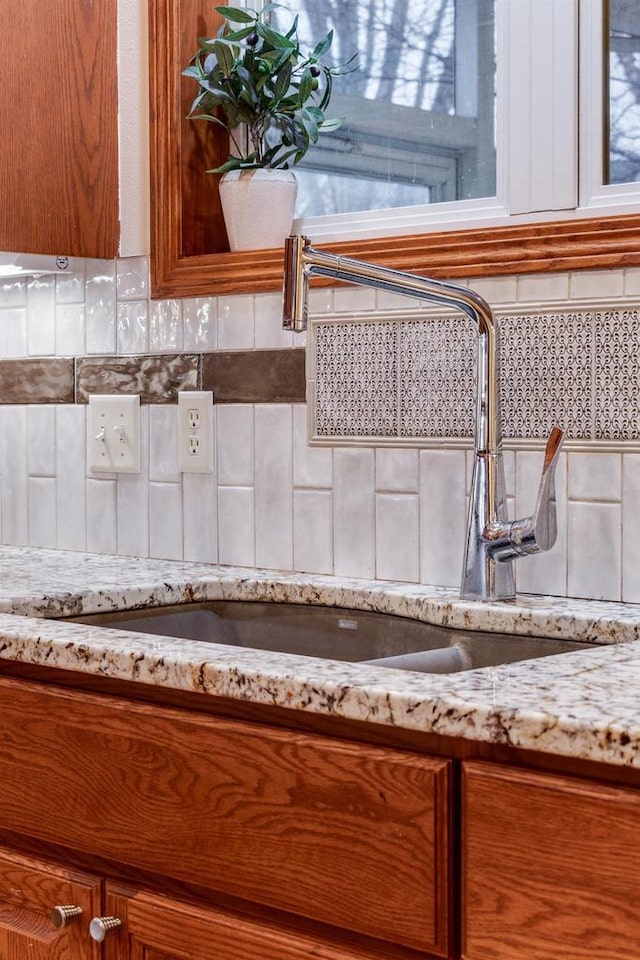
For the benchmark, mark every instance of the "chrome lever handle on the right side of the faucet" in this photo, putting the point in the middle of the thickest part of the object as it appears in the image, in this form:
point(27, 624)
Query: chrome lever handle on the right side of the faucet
point(537, 533)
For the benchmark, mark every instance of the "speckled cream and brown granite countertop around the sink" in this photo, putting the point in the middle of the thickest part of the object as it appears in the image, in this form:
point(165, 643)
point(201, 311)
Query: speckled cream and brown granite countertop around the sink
point(579, 704)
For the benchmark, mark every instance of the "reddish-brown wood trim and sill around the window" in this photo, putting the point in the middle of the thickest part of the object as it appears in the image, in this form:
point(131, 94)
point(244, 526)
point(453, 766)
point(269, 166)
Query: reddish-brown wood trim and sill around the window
point(189, 250)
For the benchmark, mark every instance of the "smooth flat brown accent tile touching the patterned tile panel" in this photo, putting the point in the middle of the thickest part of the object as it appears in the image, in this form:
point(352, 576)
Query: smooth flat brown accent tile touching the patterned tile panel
point(255, 376)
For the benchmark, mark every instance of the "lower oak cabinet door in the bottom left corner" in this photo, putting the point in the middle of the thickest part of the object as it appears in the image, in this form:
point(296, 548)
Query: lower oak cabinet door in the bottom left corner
point(33, 925)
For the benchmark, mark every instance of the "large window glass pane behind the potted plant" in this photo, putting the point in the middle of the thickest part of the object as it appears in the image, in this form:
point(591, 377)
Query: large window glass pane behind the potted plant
point(419, 112)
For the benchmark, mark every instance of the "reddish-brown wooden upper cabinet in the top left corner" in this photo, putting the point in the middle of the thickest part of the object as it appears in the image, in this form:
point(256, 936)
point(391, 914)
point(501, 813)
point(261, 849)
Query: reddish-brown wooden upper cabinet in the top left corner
point(58, 116)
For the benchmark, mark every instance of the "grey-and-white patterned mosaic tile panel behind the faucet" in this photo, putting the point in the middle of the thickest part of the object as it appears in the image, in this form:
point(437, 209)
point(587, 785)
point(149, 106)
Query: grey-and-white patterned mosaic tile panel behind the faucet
point(411, 378)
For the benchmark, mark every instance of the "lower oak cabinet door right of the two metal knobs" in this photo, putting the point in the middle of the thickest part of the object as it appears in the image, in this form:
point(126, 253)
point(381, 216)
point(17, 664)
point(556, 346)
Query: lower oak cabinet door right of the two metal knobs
point(154, 927)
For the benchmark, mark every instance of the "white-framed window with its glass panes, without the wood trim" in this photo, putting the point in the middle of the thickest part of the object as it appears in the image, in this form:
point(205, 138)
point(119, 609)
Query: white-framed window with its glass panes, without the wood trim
point(423, 111)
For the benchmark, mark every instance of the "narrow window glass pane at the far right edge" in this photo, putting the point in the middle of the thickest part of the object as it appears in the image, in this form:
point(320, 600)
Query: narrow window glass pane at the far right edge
point(624, 92)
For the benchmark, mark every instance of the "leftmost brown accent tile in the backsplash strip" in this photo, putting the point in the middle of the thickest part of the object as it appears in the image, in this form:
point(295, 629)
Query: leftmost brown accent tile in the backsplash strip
point(38, 380)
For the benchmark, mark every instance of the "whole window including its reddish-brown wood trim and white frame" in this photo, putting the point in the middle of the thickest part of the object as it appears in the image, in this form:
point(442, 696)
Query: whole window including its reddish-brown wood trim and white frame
point(550, 113)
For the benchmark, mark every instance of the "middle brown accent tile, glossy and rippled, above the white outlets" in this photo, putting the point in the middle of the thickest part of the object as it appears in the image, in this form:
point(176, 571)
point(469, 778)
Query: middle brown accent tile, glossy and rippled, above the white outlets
point(156, 378)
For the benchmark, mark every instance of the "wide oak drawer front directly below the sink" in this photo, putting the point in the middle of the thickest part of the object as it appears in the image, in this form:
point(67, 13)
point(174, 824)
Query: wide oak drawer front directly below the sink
point(351, 835)
